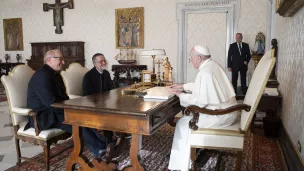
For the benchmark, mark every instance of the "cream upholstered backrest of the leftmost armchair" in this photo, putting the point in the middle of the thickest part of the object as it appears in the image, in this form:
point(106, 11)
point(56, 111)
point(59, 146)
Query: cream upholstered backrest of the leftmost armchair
point(16, 85)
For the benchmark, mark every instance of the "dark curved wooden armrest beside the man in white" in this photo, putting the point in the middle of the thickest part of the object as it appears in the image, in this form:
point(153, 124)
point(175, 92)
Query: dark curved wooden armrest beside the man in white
point(195, 110)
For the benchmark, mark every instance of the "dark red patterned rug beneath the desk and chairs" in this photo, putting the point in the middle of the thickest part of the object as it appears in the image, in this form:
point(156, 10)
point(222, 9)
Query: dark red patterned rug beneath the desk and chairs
point(260, 153)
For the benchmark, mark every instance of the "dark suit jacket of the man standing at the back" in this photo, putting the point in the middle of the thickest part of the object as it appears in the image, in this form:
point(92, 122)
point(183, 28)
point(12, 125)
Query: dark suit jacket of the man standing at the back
point(235, 60)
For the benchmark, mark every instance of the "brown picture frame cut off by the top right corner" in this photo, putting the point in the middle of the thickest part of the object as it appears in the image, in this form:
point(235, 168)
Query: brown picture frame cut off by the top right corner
point(287, 8)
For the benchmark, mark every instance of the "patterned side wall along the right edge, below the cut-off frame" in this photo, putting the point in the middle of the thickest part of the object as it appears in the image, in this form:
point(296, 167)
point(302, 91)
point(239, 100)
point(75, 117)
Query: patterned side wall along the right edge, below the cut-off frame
point(290, 71)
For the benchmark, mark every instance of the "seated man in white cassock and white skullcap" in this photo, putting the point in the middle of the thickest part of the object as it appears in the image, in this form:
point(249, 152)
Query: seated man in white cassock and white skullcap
point(212, 90)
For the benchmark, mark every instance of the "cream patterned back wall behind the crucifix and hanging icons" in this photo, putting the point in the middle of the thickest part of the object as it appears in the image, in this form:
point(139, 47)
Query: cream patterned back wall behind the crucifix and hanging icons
point(93, 21)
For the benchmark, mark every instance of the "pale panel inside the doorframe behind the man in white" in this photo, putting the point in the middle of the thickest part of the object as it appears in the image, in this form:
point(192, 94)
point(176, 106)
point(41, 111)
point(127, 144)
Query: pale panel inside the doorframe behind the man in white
point(200, 27)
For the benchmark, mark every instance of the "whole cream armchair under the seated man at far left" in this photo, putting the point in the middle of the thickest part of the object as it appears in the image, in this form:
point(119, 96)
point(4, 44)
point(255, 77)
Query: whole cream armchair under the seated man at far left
point(16, 85)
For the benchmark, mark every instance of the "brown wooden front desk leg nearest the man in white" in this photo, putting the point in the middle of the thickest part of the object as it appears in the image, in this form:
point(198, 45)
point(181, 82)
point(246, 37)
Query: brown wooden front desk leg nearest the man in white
point(133, 154)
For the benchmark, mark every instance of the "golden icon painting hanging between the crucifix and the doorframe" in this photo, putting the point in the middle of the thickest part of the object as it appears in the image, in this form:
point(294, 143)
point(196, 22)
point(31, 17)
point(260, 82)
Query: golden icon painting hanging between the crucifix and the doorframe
point(129, 27)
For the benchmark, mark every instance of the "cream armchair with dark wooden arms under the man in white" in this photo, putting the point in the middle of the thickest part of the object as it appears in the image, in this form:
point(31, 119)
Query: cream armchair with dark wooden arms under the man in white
point(231, 137)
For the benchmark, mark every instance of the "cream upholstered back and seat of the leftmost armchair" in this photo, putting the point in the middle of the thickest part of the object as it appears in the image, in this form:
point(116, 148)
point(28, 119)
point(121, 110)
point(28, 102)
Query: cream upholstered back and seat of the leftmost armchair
point(16, 85)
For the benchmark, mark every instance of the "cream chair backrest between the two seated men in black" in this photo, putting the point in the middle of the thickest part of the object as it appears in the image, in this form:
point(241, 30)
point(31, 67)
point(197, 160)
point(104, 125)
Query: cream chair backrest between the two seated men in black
point(72, 78)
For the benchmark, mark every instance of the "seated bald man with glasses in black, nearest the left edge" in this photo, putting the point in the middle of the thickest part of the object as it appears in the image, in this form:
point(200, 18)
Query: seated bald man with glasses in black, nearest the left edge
point(46, 87)
